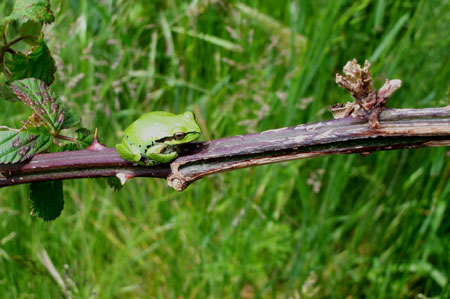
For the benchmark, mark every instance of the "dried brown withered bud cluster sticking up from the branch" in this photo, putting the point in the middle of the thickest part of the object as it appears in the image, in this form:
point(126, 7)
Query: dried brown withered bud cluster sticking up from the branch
point(368, 102)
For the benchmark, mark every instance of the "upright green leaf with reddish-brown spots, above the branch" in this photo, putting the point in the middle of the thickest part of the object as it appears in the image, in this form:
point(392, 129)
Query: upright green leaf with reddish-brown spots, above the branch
point(35, 94)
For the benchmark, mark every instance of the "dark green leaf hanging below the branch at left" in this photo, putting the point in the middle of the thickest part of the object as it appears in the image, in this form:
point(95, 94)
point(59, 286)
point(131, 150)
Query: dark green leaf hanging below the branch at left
point(47, 199)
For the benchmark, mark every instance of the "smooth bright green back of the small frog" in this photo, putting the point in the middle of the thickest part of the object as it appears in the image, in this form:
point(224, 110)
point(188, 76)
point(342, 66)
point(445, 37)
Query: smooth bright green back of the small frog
point(149, 127)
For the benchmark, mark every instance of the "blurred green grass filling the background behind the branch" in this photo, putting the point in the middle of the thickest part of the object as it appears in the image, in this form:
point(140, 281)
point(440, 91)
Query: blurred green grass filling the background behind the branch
point(336, 226)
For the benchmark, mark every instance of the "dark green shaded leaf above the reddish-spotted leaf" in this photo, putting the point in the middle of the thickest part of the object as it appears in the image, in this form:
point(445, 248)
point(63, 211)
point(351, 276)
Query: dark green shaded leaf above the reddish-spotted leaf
point(38, 64)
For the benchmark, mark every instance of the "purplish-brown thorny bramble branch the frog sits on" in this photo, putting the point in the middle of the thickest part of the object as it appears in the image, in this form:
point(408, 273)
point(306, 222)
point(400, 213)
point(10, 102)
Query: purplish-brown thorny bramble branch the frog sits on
point(398, 129)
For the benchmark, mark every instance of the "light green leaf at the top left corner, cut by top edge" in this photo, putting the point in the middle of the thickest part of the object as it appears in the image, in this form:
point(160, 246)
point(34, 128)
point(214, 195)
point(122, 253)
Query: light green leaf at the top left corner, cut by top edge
point(35, 10)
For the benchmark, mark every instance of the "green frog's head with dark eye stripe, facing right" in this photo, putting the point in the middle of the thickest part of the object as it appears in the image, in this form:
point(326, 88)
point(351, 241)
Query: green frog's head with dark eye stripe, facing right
point(186, 129)
